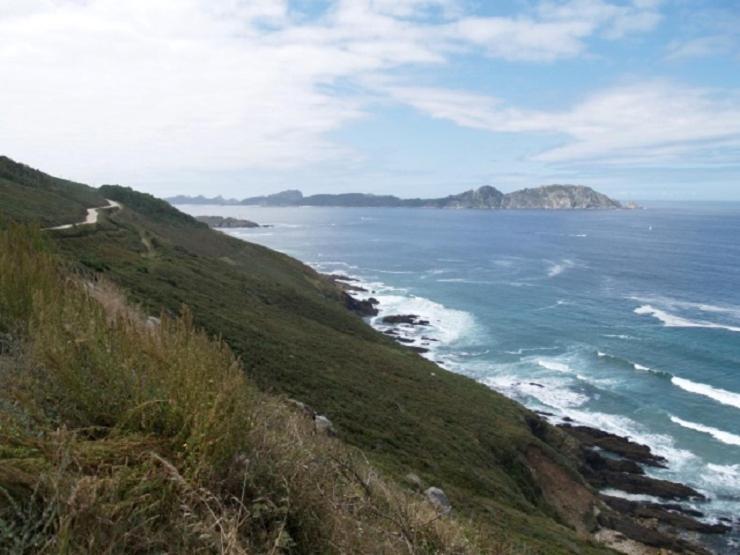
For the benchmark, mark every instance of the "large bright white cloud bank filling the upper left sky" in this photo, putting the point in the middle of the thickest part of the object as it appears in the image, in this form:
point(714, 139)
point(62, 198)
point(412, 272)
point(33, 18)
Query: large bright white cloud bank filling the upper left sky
point(92, 88)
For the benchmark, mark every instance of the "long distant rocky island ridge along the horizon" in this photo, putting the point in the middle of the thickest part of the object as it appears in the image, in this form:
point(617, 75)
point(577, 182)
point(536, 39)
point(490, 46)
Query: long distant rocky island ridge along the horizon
point(549, 197)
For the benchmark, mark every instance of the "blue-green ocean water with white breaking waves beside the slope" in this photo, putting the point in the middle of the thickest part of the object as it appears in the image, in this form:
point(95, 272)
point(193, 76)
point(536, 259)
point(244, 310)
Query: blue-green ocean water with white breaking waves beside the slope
point(628, 321)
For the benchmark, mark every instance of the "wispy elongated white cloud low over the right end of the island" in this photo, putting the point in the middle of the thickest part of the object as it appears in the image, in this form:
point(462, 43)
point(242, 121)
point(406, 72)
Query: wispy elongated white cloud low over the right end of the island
point(655, 121)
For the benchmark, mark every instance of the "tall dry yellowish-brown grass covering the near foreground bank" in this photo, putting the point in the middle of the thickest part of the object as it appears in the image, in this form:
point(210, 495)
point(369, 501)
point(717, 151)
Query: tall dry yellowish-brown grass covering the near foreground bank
point(117, 436)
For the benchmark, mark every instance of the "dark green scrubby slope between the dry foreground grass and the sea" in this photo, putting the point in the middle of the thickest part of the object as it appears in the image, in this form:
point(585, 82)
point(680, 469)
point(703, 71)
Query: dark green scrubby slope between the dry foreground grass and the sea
point(295, 337)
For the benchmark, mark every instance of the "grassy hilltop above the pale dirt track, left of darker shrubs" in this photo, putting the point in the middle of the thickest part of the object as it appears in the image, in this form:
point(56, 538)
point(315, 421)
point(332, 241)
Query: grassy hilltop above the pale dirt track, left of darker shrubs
point(29, 194)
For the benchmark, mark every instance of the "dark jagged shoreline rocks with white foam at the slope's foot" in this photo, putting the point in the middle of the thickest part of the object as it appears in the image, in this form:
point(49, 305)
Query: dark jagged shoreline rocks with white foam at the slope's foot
point(643, 513)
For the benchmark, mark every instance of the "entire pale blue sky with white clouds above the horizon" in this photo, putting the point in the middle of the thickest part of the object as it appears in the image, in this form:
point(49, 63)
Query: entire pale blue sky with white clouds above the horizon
point(639, 99)
